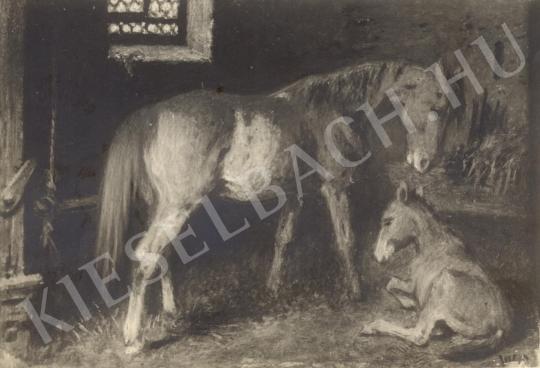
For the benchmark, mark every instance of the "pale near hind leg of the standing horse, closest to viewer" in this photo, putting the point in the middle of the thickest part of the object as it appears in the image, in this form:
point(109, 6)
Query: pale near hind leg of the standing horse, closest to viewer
point(166, 224)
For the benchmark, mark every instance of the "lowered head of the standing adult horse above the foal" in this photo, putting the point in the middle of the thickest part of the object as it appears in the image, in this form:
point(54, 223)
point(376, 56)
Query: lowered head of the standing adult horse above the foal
point(428, 107)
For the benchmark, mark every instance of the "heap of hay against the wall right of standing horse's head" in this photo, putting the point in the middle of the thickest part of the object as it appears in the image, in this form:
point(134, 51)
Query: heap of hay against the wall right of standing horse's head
point(496, 164)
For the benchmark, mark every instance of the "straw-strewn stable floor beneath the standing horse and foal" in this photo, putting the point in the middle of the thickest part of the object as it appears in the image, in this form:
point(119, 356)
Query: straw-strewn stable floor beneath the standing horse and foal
point(314, 337)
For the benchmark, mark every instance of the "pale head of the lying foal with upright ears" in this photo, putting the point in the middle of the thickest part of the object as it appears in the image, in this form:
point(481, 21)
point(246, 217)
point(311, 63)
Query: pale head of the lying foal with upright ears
point(398, 226)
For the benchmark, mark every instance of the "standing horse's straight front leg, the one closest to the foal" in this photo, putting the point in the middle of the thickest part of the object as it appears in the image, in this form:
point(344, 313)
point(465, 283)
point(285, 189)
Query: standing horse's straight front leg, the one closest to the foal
point(338, 204)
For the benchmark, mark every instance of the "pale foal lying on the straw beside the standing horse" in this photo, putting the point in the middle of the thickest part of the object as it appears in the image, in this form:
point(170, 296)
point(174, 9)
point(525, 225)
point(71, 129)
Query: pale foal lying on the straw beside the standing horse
point(445, 285)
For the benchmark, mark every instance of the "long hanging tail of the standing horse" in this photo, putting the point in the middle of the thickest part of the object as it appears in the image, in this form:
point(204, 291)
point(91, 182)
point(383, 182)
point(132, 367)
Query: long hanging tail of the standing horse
point(124, 175)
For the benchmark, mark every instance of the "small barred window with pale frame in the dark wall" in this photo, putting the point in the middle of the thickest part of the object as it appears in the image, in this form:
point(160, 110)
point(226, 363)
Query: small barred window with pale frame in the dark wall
point(160, 30)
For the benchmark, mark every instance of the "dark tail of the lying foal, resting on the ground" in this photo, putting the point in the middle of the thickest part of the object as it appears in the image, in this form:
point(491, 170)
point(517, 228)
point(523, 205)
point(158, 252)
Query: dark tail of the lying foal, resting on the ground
point(460, 346)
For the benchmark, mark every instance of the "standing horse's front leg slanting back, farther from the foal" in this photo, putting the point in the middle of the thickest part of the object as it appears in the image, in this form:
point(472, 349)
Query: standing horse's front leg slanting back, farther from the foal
point(284, 234)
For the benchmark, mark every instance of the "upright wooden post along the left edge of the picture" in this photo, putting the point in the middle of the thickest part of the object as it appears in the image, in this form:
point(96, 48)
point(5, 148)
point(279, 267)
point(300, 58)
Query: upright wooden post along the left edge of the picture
point(11, 128)
